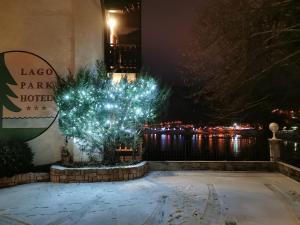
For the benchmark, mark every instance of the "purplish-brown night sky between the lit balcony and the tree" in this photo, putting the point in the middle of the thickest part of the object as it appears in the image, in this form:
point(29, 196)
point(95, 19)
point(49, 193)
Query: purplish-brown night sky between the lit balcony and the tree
point(166, 30)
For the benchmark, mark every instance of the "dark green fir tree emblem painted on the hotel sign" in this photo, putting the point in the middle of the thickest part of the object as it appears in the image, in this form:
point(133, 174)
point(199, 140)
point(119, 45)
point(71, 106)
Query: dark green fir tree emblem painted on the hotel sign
point(5, 91)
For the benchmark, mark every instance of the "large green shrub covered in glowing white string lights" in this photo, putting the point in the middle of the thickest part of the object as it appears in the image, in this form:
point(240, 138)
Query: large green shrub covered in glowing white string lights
point(102, 115)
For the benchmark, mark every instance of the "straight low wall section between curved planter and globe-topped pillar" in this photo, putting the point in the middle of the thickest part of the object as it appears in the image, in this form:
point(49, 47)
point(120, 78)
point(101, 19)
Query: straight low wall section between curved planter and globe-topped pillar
point(212, 165)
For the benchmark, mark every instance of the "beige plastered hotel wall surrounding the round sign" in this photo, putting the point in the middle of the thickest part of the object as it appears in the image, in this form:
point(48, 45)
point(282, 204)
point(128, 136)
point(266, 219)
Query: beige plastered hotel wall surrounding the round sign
point(66, 33)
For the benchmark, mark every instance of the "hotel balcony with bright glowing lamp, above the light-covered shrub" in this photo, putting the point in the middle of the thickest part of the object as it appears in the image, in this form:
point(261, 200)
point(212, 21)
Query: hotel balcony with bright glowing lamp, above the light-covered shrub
point(123, 36)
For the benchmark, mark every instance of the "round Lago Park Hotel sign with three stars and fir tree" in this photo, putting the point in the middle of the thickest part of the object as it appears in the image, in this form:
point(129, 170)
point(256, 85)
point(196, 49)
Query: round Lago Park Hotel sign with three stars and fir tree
point(27, 106)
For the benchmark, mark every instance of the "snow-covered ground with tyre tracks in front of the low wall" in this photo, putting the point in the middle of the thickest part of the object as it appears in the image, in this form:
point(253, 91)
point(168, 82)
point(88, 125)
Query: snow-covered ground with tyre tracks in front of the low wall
point(160, 198)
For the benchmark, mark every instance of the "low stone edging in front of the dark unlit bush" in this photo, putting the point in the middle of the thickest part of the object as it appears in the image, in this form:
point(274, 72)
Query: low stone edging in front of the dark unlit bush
point(24, 179)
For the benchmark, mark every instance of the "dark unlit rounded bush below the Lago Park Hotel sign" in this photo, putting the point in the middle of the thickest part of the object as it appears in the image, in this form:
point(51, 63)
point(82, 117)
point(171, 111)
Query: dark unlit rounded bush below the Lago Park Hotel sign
point(15, 157)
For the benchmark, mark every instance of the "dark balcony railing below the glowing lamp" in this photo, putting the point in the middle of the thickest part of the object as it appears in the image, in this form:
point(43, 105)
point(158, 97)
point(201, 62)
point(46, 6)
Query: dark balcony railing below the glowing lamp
point(123, 58)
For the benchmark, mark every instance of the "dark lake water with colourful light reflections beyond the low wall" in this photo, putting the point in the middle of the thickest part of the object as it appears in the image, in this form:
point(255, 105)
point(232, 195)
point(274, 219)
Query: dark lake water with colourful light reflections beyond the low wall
point(205, 147)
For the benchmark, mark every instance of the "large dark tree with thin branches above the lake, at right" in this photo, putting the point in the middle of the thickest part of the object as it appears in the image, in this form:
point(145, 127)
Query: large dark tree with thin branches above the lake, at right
point(244, 59)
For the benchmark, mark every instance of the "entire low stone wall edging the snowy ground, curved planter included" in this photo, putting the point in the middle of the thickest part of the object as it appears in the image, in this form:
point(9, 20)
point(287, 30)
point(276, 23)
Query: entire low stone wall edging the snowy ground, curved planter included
point(60, 174)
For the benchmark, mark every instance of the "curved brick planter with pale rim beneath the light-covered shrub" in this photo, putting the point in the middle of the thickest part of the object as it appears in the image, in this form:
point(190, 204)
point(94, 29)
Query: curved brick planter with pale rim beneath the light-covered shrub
point(60, 174)
